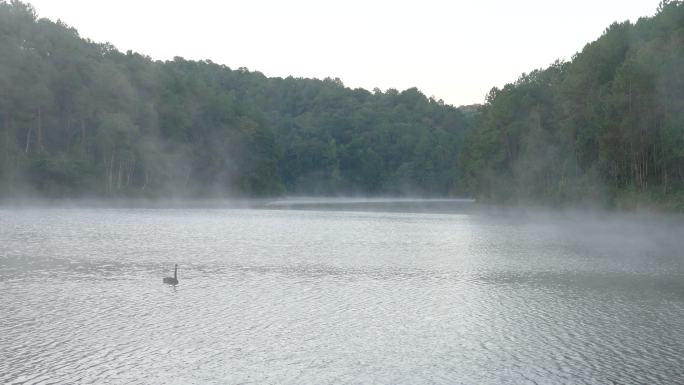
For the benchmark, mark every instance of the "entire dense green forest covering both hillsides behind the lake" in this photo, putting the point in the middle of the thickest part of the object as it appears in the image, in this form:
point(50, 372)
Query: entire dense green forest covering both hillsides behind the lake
point(79, 118)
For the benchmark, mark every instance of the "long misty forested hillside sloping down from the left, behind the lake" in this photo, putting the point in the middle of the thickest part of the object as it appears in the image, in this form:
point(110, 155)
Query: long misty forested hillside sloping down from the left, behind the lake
point(79, 118)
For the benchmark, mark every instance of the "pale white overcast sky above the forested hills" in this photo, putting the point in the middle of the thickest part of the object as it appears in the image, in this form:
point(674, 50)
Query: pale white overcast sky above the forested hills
point(452, 50)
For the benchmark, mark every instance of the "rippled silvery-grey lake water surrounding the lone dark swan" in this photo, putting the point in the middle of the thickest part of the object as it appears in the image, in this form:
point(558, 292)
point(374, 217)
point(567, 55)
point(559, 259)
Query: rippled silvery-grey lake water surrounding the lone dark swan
point(327, 292)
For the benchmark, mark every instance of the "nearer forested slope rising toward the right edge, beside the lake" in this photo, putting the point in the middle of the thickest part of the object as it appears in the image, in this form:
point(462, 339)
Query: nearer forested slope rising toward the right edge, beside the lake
point(606, 127)
